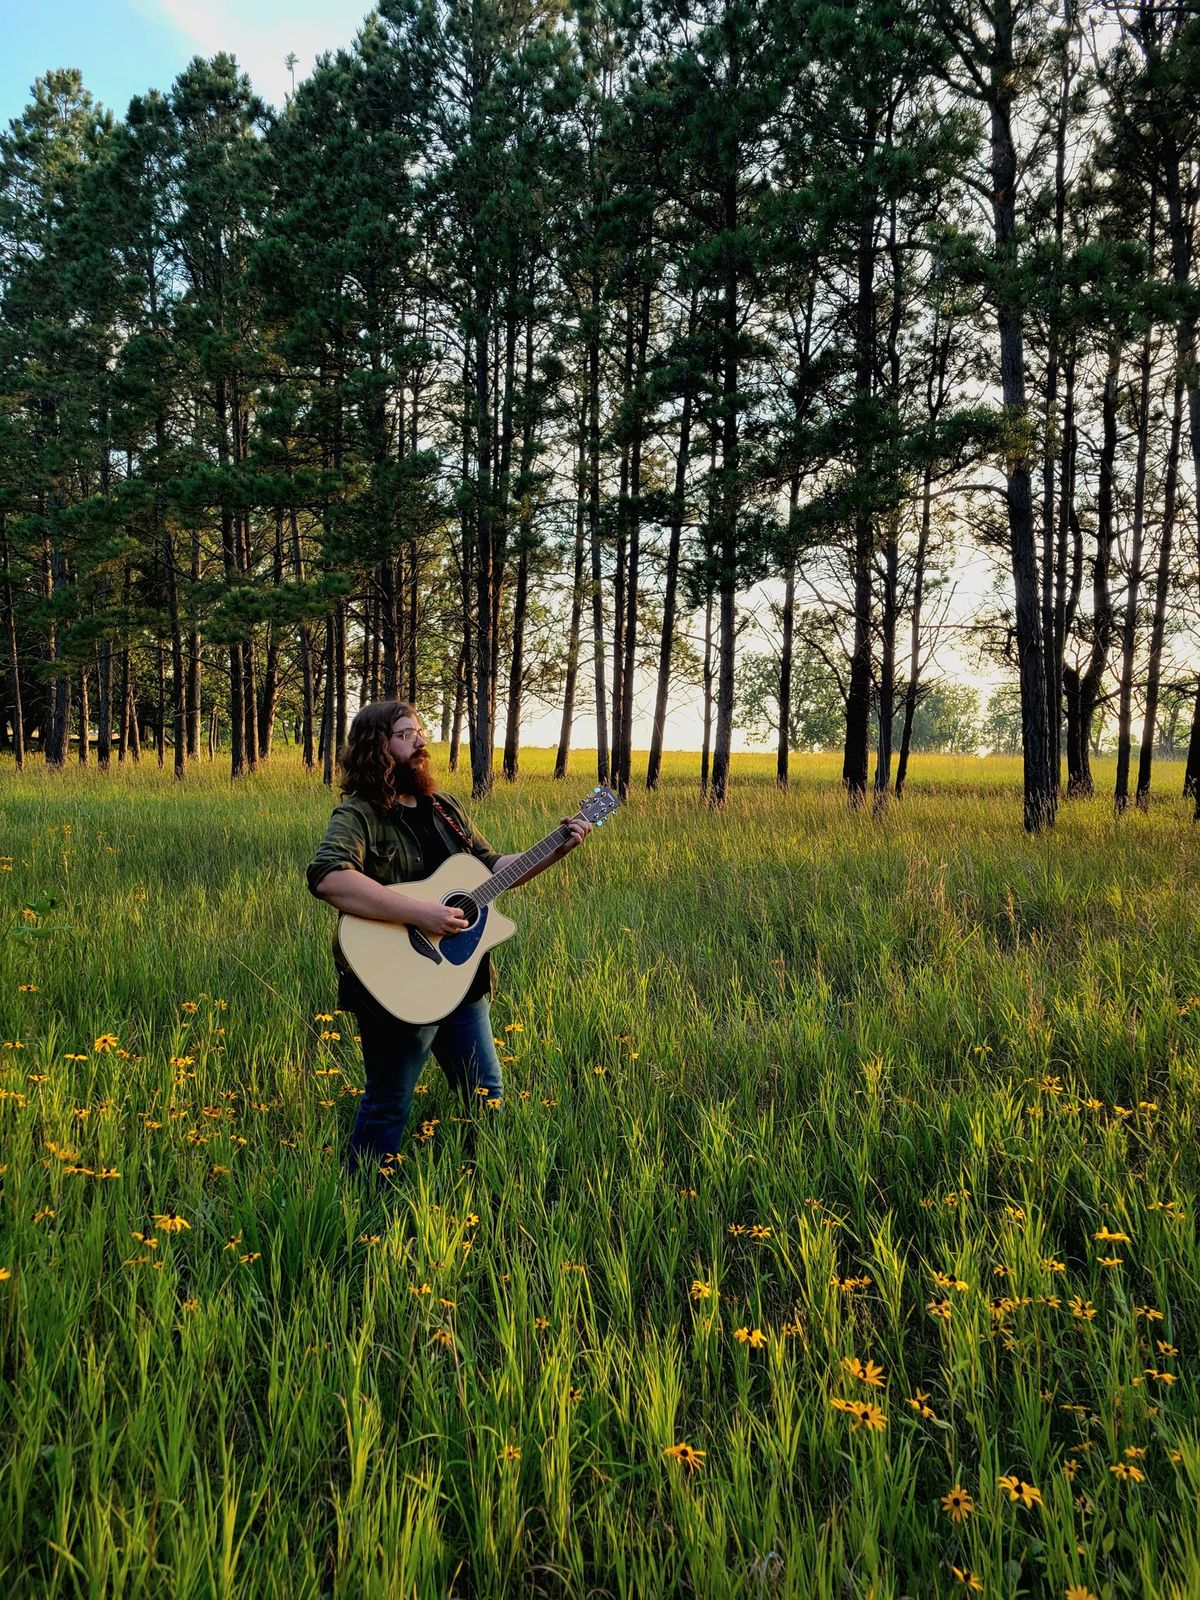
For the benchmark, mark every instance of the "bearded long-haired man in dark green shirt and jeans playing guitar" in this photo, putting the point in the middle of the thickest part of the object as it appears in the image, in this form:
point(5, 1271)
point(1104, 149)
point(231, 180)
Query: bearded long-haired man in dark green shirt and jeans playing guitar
point(393, 826)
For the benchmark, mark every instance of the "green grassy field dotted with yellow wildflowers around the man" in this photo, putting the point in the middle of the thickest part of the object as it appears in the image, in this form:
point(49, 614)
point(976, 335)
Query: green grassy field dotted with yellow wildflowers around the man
point(836, 1239)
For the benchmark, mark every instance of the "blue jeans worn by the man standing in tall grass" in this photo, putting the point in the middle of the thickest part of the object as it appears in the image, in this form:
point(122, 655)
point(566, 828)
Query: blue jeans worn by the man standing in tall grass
point(394, 1055)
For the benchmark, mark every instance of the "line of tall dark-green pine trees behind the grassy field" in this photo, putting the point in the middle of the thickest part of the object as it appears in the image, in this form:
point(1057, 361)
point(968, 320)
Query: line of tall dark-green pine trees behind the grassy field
point(526, 345)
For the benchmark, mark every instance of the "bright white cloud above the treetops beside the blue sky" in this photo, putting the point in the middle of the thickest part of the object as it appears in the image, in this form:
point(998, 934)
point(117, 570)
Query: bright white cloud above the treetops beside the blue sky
point(262, 33)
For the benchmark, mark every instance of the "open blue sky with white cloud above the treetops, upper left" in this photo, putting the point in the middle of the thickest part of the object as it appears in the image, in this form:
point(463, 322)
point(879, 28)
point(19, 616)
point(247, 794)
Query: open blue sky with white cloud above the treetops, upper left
point(127, 47)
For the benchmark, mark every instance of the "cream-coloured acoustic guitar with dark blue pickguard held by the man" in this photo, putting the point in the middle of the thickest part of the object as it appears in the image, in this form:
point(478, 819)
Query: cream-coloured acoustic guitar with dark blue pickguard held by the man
point(422, 978)
